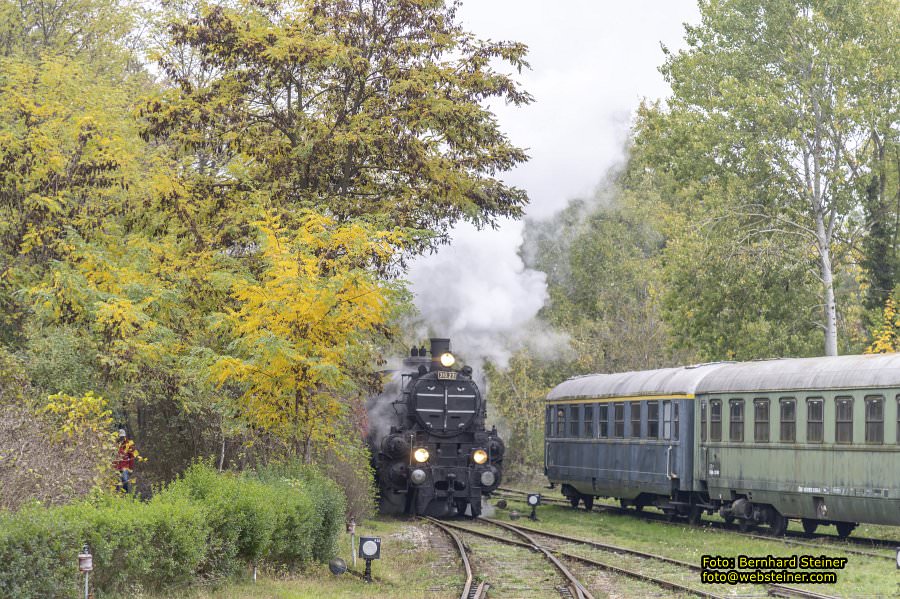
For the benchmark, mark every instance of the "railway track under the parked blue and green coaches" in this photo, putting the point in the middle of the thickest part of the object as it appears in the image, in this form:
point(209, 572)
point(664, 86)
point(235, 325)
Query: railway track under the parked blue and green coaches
point(831, 540)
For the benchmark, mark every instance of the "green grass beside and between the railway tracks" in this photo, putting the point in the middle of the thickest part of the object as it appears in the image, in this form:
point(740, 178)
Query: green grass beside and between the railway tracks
point(418, 562)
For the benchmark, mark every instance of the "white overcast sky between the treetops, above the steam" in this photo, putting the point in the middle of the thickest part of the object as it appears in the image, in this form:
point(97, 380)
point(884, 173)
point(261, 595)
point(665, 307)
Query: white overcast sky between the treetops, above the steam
point(591, 63)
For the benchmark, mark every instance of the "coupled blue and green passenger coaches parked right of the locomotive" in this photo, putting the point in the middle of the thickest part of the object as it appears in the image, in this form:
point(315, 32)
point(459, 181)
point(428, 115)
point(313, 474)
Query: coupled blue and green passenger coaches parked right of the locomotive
point(817, 439)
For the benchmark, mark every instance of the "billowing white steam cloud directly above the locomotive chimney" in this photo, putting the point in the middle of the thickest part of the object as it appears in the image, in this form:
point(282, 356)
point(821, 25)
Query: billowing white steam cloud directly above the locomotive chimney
point(479, 293)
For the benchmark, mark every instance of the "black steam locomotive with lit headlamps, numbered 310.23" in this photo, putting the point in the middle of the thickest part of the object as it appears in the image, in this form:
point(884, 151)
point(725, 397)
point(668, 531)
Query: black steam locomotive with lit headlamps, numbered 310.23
point(436, 458)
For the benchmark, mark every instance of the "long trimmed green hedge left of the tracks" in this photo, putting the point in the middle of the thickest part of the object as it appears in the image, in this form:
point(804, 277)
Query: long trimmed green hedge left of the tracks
point(204, 524)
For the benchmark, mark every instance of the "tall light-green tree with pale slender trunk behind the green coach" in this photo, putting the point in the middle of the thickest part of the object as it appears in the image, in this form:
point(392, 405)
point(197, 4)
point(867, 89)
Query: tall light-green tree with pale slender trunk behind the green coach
point(788, 96)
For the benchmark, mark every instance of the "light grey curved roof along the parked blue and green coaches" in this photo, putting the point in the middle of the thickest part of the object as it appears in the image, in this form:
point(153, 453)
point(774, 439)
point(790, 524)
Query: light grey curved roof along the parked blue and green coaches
point(786, 374)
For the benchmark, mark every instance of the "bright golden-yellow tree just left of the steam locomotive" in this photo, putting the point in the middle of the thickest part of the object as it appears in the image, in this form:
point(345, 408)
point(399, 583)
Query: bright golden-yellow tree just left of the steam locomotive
point(299, 324)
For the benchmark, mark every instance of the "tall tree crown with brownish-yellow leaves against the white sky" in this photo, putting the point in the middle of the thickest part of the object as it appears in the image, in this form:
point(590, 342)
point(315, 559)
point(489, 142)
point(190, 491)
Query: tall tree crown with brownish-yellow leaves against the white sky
point(369, 110)
